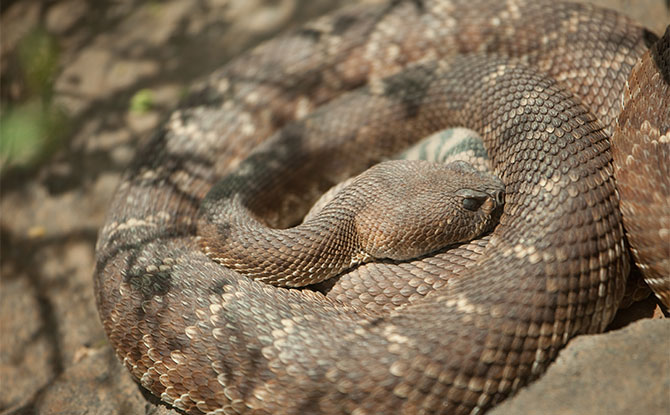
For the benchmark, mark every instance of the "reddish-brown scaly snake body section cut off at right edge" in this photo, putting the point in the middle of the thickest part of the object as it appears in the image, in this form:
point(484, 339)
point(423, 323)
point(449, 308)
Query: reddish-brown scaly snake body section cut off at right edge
point(641, 151)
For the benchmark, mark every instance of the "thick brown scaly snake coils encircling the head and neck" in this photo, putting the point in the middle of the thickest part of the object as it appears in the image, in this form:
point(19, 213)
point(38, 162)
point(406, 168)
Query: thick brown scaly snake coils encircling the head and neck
point(207, 340)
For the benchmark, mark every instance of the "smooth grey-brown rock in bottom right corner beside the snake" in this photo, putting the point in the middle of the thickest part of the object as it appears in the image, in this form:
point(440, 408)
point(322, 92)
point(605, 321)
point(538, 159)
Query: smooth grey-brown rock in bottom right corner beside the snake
point(622, 372)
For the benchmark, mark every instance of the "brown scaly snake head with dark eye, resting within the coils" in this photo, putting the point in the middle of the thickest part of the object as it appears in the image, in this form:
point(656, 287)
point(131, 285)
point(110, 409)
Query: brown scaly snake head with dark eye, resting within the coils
point(419, 207)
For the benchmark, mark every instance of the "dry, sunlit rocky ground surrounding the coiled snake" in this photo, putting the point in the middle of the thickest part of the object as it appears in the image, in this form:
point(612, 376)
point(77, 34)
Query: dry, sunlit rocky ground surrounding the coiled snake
point(85, 81)
